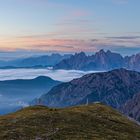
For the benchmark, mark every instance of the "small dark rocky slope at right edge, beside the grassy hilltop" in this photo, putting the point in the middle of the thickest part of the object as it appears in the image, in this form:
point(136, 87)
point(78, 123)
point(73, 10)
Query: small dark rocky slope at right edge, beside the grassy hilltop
point(132, 107)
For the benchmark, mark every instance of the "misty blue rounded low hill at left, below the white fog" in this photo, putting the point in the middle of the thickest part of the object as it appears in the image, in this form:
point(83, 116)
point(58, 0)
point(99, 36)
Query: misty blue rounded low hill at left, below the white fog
point(17, 93)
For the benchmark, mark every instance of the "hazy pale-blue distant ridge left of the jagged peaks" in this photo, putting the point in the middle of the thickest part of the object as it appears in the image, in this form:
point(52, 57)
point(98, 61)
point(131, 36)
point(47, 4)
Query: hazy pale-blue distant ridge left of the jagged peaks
point(35, 61)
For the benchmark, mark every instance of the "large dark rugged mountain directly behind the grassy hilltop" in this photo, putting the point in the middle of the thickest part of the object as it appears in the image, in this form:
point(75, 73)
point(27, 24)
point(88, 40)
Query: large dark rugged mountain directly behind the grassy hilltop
point(113, 88)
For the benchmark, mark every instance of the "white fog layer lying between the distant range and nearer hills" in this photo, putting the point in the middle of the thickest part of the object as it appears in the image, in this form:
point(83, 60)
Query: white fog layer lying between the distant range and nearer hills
point(60, 75)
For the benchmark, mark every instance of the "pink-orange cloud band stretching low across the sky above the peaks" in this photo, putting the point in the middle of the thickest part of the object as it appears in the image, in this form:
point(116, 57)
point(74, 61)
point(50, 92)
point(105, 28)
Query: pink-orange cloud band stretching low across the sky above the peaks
point(45, 43)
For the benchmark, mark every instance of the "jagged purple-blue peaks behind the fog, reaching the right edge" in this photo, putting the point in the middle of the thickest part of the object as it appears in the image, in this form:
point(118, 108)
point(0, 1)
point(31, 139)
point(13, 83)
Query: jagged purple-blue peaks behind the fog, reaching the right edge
point(101, 61)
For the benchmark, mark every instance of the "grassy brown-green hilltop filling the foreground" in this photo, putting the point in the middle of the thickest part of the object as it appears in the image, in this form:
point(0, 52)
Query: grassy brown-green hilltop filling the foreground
point(96, 122)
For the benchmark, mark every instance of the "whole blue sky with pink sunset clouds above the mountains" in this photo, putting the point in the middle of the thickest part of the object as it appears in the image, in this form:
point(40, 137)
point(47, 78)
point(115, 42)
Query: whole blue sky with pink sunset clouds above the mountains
point(68, 26)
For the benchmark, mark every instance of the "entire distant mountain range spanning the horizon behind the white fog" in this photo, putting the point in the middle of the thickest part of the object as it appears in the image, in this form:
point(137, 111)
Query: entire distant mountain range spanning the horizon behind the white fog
point(100, 61)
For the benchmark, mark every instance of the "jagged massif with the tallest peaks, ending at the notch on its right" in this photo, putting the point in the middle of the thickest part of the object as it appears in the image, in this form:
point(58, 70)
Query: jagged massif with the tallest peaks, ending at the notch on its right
point(100, 61)
